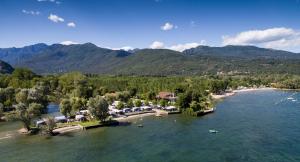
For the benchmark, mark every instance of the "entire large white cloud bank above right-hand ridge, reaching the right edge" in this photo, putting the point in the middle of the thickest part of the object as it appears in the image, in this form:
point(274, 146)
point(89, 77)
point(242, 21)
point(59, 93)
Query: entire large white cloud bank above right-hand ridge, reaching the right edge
point(277, 38)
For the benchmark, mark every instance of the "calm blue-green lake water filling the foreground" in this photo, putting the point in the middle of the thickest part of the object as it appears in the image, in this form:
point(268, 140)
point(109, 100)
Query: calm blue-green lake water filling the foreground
point(253, 126)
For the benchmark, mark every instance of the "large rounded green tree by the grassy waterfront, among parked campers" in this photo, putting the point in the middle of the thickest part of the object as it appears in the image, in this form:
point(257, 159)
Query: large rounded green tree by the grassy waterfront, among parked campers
point(98, 108)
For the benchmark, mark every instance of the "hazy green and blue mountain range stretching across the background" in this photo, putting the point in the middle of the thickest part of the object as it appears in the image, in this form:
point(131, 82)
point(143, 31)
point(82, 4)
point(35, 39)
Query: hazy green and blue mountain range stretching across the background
point(89, 58)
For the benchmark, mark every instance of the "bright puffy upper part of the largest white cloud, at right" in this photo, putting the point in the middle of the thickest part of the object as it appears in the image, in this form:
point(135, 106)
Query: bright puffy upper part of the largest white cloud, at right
point(258, 36)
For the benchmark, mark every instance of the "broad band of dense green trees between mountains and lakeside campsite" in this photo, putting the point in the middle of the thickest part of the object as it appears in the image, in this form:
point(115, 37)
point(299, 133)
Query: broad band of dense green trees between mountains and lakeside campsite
point(26, 94)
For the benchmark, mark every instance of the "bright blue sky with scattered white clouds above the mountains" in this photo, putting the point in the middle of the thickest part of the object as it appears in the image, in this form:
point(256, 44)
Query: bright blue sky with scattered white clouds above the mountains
point(174, 24)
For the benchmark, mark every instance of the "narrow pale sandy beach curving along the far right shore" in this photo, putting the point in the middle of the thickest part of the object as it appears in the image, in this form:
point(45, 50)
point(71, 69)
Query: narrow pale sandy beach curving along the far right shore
point(225, 95)
